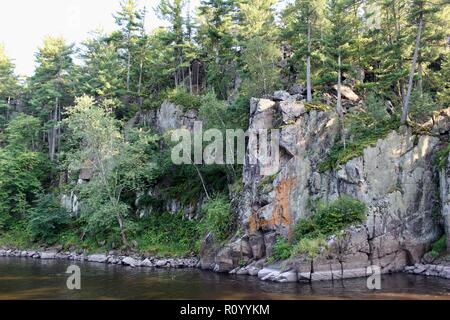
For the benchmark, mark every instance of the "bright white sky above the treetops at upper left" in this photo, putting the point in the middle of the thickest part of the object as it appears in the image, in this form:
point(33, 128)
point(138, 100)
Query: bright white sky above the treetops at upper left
point(25, 23)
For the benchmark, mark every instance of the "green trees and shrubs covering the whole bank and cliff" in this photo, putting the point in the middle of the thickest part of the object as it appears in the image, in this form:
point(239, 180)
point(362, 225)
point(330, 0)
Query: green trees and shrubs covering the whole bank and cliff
point(65, 131)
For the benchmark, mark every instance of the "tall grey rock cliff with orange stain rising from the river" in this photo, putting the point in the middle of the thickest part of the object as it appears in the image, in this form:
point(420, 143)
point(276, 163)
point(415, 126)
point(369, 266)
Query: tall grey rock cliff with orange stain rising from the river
point(407, 196)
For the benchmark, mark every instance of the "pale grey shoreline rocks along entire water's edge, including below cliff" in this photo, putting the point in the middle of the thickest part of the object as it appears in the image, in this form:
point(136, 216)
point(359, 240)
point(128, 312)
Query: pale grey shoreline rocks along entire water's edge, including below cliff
point(263, 274)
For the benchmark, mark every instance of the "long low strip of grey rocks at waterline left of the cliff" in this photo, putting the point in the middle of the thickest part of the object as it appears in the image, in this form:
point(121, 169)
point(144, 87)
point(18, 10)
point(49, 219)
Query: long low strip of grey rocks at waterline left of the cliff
point(110, 258)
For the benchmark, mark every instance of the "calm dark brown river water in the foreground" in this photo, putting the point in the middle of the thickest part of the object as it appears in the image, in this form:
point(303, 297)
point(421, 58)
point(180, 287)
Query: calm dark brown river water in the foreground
point(46, 279)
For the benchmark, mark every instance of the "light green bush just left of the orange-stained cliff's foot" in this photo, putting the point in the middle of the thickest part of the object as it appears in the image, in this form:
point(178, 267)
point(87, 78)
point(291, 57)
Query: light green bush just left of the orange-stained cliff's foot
point(217, 217)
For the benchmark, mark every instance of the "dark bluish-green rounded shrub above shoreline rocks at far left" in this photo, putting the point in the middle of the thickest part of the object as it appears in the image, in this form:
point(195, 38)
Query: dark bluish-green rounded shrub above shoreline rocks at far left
point(47, 218)
